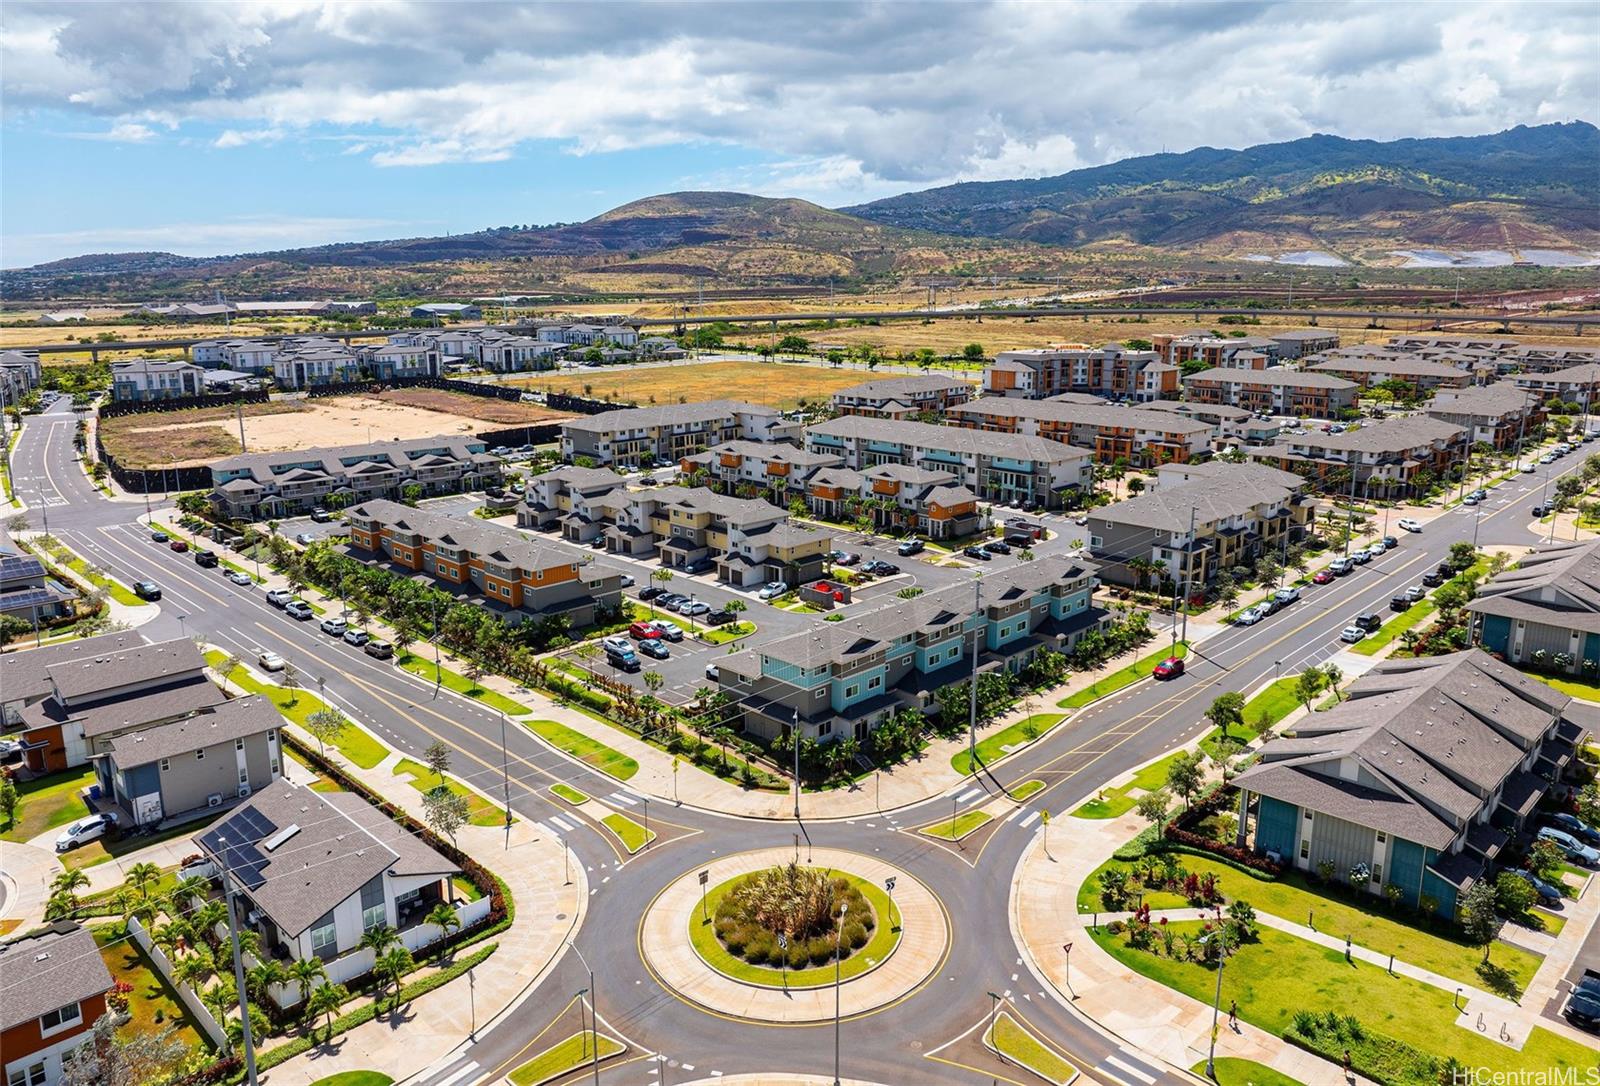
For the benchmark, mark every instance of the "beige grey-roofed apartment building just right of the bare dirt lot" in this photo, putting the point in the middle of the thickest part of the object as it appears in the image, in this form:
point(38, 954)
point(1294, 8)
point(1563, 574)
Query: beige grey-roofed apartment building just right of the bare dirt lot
point(668, 434)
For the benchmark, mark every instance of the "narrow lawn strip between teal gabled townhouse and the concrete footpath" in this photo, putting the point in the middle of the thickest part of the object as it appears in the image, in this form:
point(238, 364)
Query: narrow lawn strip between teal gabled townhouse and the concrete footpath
point(1369, 925)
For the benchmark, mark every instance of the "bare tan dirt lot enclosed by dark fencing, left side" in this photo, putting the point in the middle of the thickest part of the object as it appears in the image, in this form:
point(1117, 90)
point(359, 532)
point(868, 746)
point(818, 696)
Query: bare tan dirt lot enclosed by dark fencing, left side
point(206, 434)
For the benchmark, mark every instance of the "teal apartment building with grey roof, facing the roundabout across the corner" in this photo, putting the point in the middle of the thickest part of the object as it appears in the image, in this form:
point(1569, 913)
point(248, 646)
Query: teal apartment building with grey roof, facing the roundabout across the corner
point(844, 679)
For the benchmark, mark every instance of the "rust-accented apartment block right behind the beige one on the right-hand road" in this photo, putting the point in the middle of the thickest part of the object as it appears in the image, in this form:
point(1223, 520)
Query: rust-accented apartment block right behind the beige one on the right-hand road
point(1385, 458)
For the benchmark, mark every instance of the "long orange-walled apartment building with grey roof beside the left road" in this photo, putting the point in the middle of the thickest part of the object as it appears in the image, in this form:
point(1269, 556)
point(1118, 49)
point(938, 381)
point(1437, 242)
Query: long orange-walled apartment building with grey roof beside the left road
point(518, 577)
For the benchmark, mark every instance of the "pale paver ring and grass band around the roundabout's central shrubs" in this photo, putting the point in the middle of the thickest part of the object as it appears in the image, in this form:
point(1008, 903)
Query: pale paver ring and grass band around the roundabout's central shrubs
point(756, 994)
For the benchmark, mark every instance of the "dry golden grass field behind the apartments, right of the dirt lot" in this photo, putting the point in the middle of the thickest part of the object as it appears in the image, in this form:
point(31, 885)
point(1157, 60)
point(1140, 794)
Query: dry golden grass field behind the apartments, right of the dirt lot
point(772, 383)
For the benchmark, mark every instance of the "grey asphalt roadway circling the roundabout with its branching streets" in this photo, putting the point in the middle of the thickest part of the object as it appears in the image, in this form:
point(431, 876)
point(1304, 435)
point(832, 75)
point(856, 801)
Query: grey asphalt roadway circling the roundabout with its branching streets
point(974, 882)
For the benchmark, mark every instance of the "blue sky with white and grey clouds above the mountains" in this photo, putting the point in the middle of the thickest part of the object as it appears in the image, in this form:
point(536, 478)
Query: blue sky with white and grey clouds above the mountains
point(242, 127)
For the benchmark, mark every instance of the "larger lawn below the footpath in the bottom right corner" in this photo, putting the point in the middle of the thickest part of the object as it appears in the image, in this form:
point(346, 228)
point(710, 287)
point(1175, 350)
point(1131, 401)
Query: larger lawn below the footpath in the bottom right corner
point(1281, 975)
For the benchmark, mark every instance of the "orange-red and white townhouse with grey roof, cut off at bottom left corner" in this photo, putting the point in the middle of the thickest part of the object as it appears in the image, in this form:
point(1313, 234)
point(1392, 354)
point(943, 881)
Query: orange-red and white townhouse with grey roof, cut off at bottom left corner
point(54, 986)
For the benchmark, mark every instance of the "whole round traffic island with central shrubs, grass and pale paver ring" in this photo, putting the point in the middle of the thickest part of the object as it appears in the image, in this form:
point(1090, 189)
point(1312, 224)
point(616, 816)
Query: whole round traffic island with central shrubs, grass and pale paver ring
point(756, 935)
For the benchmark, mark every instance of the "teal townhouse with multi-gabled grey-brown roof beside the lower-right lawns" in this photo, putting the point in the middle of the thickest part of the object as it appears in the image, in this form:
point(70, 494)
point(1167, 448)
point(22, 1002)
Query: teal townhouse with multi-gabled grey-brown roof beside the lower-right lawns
point(1420, 780)
